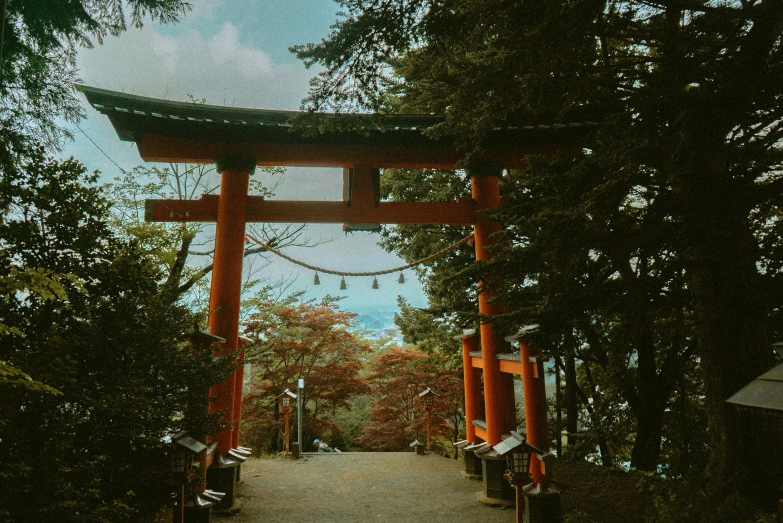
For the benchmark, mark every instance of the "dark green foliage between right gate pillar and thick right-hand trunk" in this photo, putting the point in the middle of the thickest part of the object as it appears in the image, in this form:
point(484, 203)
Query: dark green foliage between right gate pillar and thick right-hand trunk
point(612, 291)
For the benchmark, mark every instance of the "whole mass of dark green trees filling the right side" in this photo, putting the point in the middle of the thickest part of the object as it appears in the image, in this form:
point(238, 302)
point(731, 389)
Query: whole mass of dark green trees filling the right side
point(656, 244)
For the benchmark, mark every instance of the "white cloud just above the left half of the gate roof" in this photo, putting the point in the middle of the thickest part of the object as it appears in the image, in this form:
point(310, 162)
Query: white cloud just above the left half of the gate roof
point(221, 69)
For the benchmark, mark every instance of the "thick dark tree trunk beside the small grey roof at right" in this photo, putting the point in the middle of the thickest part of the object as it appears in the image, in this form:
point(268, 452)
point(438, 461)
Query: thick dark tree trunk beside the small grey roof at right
point(730, 308)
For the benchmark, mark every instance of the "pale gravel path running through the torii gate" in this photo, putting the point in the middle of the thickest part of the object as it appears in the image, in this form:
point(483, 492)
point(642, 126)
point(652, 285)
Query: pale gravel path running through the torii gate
point(366, 486)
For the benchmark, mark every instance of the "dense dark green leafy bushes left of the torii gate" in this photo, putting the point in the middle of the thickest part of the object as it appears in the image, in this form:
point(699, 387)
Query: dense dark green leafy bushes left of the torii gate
point(104, 336)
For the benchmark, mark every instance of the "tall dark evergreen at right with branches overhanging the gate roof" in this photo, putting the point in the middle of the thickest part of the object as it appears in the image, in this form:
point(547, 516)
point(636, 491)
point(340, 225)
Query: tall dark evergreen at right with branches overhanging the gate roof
point(690, 94)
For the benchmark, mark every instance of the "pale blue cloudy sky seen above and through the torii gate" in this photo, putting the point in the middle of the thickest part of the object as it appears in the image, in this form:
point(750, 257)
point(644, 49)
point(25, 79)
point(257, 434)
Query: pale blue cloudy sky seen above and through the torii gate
point(235, 53)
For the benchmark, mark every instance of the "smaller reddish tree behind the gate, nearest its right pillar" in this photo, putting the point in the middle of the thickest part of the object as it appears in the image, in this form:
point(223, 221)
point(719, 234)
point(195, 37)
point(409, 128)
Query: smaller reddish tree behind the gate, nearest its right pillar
point(398, 415)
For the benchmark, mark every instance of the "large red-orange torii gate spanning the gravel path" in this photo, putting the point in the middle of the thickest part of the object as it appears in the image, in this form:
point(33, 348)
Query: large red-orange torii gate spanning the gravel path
point(237, 140)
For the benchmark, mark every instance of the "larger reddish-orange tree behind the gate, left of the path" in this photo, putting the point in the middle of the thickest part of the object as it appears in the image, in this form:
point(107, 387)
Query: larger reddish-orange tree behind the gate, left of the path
point(292, 339)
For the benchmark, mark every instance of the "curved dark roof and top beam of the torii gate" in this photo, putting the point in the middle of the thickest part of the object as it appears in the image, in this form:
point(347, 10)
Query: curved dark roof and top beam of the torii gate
point(168, 131)
